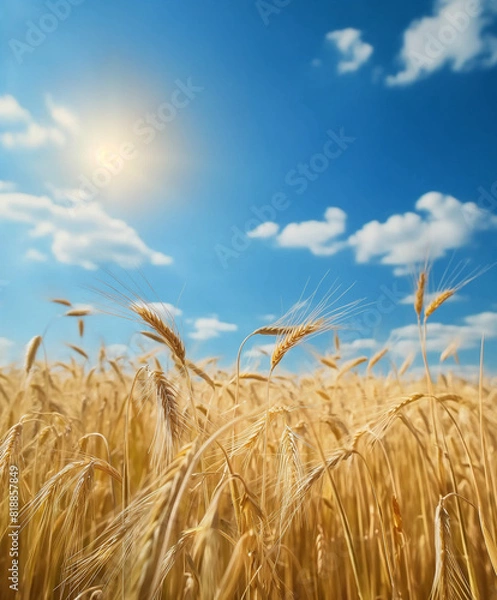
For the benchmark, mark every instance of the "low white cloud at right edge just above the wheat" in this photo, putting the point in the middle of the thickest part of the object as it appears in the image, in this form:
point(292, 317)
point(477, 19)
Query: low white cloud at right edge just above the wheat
point(405, 340)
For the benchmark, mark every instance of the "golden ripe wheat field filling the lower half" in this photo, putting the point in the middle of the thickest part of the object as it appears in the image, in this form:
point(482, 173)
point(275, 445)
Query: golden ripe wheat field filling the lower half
point(139, 482)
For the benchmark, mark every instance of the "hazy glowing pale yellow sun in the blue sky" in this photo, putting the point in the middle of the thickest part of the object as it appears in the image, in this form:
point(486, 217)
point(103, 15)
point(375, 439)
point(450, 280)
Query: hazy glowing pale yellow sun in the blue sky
point(110, 162)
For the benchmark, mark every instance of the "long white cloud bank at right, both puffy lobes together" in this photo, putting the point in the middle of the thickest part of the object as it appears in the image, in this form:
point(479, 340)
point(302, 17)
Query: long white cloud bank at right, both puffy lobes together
point(440, 224)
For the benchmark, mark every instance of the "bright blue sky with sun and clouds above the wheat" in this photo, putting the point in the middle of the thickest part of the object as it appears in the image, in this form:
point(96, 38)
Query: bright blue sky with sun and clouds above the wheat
point(227, 154)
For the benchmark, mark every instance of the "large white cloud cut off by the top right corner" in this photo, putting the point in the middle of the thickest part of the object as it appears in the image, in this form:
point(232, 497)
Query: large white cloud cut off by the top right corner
point(455, 36)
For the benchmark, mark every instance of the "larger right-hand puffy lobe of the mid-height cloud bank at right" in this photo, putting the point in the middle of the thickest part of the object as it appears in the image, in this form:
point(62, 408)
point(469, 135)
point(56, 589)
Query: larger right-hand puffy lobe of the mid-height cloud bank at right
point(444, 224)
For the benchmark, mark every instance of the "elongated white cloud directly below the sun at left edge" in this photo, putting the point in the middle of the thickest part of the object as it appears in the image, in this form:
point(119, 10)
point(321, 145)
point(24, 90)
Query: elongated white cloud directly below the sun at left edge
point(83, 235)
